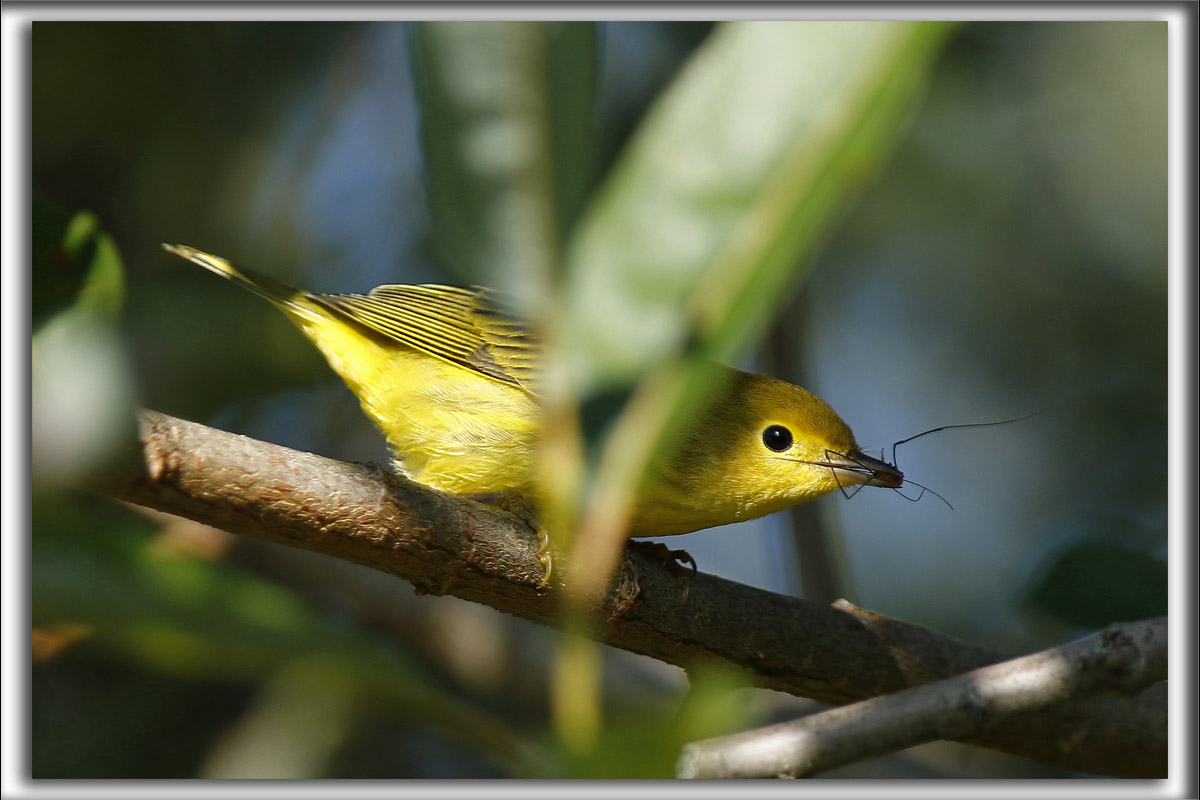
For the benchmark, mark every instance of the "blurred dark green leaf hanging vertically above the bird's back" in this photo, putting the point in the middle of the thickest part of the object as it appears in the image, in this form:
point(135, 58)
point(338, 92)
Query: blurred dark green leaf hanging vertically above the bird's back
point(507, 133)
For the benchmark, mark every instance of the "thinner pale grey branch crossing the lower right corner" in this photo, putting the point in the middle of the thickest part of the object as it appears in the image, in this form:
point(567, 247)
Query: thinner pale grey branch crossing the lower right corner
point(1125, 658)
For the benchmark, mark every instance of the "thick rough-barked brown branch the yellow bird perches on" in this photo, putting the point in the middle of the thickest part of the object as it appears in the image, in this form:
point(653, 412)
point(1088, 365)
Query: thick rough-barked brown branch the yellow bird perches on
point(448, 545)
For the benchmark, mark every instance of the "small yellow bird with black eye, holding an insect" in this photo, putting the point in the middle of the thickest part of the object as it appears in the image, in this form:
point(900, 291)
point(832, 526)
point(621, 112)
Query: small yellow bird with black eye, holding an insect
point(452, 381)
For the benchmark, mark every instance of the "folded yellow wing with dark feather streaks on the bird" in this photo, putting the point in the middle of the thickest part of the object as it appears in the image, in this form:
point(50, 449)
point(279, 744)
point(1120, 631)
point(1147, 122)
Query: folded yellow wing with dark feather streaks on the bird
point(465, 327)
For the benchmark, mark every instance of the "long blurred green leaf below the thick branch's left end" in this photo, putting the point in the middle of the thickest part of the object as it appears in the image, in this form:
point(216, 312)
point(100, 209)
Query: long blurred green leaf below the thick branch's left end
point(95, 566)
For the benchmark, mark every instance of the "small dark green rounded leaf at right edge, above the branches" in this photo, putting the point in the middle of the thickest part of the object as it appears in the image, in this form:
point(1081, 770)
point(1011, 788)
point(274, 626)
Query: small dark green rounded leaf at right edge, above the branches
point(1094, 585)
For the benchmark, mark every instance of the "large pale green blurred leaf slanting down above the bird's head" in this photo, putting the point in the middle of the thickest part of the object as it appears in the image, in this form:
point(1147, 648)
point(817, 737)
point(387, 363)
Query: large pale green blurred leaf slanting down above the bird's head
point(736, 173)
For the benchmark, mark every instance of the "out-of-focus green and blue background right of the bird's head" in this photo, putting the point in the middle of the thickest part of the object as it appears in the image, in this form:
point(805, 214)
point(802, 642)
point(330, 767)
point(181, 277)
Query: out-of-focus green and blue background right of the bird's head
point(989, 274)
